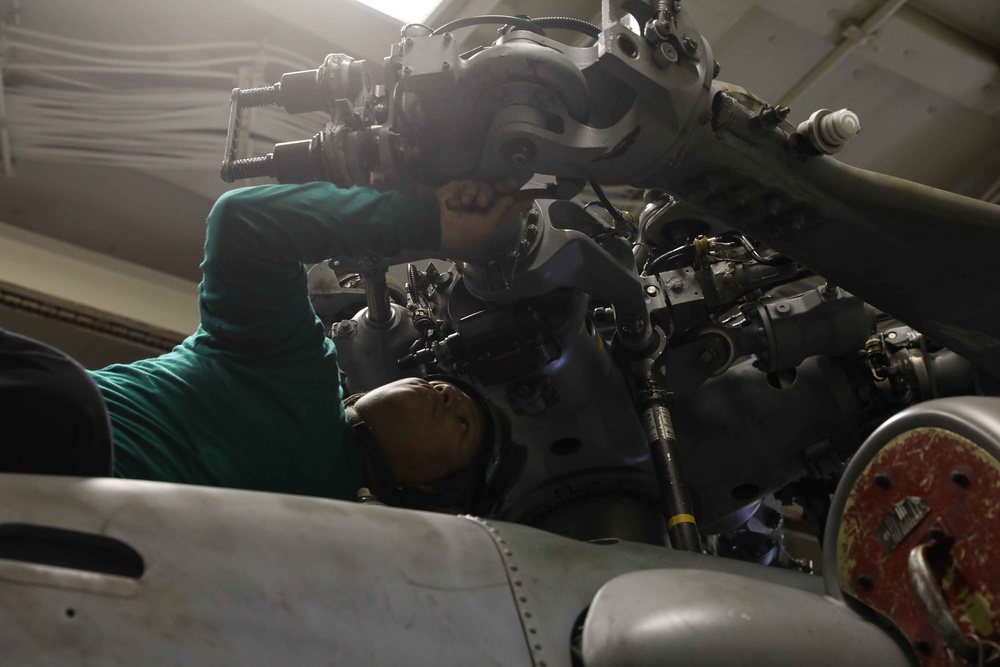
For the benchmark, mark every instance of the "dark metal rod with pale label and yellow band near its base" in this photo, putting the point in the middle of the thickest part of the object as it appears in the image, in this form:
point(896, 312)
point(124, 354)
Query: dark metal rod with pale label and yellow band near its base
point(675, 502)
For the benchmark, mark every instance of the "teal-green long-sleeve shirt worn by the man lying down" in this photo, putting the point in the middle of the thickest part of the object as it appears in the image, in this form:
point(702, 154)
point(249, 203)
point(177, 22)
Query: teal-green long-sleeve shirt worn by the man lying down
point(252, 400)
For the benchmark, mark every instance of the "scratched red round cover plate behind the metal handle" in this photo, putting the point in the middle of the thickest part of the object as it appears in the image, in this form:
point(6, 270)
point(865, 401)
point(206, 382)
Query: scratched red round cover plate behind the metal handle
point(926, 485)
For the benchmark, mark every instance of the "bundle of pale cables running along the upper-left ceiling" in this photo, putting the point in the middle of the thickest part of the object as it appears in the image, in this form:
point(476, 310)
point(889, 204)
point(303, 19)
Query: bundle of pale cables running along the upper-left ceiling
point(137, 106)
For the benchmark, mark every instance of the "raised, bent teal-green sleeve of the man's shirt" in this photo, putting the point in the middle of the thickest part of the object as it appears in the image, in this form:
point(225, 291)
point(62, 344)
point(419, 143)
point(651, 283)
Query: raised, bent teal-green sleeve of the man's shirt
point(254, 298)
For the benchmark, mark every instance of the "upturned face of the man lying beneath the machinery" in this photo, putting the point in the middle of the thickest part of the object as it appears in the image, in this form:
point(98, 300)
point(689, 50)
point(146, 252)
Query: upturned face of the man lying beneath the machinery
point(423, 430)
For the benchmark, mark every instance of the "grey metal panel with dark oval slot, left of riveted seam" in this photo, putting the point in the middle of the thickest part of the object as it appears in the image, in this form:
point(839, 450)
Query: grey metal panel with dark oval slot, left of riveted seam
point(240, 578)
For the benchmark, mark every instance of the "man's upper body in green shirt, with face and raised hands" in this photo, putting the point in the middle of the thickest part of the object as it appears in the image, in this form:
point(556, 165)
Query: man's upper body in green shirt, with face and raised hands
point(252, 400)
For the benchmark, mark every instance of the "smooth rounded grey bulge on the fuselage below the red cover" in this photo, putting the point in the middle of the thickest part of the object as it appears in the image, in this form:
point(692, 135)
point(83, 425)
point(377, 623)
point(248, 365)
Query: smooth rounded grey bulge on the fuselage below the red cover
point(694, 617)
